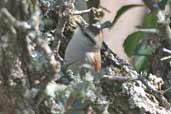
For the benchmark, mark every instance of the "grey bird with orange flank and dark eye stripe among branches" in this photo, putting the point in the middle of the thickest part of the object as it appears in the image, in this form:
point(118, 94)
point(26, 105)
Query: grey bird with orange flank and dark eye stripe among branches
point(85, 47)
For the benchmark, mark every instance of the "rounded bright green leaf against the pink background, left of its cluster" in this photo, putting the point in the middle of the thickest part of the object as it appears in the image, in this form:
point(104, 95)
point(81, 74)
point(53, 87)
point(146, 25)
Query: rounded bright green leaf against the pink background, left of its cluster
point(131, 42)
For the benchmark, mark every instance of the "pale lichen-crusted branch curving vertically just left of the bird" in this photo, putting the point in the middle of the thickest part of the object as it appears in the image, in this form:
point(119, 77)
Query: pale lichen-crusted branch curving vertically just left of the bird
point(52, 71)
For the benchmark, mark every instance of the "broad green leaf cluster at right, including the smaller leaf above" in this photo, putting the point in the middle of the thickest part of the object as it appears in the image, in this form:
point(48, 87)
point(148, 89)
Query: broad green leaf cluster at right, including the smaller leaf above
point(134, 45)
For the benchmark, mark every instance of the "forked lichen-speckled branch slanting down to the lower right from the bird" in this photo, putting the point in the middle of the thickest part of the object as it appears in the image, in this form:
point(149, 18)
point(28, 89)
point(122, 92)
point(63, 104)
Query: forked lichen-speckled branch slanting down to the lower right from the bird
point(133, 76)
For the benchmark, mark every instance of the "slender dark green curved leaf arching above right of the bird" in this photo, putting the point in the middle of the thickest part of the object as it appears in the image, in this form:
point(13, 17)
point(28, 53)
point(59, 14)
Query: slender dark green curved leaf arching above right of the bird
point(122, 10)
